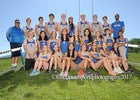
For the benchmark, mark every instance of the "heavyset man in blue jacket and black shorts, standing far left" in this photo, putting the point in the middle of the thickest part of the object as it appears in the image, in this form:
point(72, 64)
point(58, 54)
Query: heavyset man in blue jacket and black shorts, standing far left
point(15, 36)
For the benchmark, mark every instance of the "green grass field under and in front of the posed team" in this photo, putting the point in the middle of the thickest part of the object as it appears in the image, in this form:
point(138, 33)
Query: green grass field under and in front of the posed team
point(19, 86)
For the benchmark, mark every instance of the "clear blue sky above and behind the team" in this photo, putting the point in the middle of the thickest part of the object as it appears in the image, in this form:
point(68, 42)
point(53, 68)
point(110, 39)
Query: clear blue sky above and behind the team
point(22, 9)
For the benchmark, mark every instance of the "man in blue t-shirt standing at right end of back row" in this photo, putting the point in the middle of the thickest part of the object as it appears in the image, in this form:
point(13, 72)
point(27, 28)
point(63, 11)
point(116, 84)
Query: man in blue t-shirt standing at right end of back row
point(116, 26)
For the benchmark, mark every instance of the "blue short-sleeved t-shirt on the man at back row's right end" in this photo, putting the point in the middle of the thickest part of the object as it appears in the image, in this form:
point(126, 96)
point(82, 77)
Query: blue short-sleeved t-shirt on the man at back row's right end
point(116, 27)
